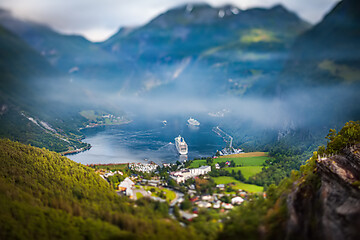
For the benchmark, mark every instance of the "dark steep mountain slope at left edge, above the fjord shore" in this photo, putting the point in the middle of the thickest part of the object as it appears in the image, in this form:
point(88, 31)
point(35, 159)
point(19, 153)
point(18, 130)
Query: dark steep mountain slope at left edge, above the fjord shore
point(28, 88)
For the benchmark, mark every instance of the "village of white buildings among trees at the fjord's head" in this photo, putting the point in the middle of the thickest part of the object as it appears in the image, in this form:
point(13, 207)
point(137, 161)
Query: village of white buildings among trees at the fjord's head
point(188, 190)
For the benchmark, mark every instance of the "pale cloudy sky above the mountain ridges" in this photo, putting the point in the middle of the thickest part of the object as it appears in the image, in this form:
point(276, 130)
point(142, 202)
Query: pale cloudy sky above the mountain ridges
point(97, 20)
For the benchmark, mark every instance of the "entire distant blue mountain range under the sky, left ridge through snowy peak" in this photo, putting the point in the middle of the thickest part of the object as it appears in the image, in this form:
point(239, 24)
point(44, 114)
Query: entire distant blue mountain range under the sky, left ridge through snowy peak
point(194, 46)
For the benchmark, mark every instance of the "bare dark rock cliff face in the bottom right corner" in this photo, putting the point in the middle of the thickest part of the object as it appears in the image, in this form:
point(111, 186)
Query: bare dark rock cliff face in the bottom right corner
point(327, 205)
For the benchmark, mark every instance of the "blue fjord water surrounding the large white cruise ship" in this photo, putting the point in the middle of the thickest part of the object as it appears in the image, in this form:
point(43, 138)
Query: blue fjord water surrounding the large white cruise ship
point(151, 140)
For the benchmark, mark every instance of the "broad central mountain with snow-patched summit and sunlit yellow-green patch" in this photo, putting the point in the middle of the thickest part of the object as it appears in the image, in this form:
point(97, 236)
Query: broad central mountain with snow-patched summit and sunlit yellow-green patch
point(196, 46)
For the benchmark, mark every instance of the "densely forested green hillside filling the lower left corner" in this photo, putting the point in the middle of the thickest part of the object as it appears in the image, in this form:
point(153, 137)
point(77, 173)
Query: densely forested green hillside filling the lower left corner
point(46, 196)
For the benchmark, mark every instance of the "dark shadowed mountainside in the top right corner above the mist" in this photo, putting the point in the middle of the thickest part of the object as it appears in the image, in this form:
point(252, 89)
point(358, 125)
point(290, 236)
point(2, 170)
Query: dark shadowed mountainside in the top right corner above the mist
point(328, 53)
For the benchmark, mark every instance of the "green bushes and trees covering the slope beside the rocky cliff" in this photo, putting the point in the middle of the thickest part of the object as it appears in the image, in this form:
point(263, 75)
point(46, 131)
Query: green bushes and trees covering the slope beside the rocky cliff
point(267, 218)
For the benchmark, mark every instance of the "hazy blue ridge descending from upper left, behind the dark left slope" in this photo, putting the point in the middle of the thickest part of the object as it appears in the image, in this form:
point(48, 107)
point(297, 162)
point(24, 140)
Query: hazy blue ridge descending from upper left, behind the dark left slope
point(72, 54)
